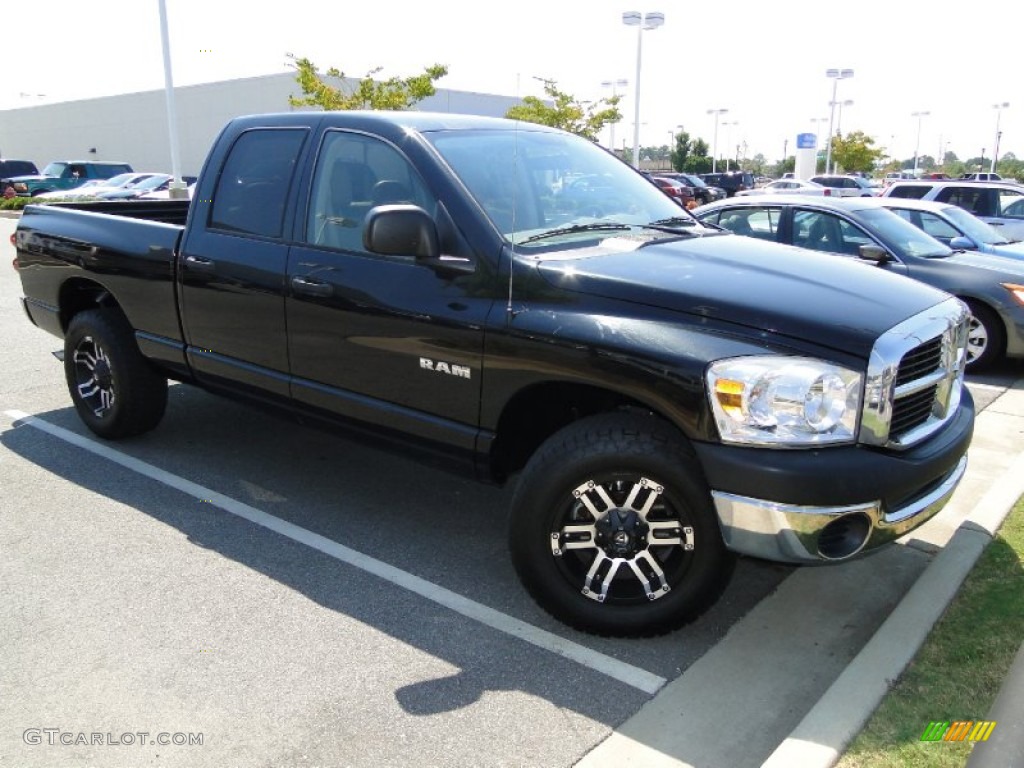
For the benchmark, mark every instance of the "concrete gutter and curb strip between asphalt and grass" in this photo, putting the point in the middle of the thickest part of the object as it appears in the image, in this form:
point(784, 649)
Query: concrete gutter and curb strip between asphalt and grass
point(797, 679)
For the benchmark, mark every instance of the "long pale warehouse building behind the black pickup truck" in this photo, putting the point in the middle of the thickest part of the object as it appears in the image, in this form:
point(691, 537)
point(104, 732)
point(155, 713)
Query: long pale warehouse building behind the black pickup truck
point(133, 127)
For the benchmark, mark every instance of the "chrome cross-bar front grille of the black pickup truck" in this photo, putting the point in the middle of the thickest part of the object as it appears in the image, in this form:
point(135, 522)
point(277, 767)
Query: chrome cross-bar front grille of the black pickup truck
point(915, 377)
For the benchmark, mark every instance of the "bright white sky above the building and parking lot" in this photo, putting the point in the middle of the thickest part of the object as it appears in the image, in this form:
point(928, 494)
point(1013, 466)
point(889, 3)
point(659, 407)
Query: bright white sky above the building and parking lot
point(763, 62)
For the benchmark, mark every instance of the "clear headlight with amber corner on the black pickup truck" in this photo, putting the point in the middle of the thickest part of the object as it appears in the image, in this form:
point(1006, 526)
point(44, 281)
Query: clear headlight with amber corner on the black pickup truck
point(786, 402)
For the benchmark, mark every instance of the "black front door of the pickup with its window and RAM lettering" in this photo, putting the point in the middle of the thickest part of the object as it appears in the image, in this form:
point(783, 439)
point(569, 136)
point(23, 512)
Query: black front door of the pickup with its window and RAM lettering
point(380, 339)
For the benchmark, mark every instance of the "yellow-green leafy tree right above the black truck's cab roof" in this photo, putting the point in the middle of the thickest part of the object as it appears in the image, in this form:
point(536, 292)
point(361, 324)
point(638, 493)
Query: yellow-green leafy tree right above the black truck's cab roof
point(395, 94)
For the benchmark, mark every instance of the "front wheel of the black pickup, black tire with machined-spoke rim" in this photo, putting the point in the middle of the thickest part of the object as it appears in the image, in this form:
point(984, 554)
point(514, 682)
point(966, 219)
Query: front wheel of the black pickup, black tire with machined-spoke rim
point(614, 531)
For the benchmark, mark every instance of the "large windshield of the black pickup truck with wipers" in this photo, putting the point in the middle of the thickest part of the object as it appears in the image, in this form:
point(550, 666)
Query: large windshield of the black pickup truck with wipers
point(558, 186)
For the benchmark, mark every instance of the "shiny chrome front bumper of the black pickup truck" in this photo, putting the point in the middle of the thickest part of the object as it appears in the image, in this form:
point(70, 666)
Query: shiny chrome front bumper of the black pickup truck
point(794, 534)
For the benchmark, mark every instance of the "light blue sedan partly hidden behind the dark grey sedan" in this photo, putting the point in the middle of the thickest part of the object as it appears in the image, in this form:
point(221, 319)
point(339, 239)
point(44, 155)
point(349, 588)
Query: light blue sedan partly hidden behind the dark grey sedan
point(955, 227)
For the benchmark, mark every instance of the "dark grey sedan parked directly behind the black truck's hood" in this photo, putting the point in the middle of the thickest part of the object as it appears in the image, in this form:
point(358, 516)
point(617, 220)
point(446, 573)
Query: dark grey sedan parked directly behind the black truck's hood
point(992, 286)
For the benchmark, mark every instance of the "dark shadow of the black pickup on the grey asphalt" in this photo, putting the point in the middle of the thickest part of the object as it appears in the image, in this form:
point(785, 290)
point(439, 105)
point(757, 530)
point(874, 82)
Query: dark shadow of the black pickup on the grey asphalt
point(446, 530)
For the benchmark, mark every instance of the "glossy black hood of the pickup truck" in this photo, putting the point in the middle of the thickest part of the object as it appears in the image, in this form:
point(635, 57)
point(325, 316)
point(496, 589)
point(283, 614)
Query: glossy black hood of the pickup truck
point(829, 301)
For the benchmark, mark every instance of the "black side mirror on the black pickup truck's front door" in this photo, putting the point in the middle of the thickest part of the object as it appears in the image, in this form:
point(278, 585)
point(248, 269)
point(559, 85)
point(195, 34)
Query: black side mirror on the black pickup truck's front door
point(405, 230)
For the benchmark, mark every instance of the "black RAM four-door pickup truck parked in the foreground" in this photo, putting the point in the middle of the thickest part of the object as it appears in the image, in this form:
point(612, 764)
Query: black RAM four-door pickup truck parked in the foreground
point(516, 302)
